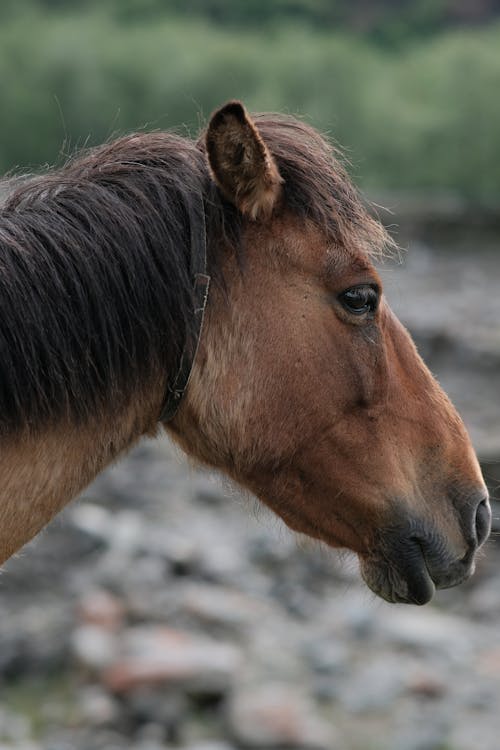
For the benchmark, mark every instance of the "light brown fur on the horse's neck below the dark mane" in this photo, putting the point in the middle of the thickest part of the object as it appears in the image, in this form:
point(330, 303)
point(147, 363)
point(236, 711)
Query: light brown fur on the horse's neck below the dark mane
point(40, 471)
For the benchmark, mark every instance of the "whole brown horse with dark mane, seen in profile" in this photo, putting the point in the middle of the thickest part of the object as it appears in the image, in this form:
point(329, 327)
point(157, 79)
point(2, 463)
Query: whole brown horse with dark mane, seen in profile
point(305, 387)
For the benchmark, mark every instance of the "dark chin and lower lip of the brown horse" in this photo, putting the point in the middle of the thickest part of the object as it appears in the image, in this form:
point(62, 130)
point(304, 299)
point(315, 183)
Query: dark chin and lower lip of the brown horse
point(398, 582)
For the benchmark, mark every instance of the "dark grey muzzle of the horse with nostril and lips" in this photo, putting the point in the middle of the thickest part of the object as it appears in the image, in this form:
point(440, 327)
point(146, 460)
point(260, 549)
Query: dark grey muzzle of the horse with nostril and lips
point(410, 562)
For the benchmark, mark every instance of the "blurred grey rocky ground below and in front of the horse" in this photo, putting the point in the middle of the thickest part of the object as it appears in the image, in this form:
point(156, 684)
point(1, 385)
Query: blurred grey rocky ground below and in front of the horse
point(163, 610)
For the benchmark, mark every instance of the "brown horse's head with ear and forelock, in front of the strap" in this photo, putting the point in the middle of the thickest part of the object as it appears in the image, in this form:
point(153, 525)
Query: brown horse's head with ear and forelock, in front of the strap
point(308, 390)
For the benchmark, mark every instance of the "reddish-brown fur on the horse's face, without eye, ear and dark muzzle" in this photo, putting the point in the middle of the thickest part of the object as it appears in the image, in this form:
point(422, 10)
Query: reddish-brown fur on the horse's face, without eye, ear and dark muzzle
point(346, 412)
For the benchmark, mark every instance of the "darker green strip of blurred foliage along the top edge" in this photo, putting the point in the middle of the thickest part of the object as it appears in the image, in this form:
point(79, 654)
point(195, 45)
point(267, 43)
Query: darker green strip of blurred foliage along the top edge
point(388, 22)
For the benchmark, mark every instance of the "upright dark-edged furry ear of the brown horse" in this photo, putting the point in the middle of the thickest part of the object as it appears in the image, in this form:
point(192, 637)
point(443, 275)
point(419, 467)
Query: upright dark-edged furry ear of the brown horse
point(241, 163)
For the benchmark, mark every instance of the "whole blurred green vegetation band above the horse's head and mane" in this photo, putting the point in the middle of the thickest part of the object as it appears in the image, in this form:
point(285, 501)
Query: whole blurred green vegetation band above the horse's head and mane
point(409, 92)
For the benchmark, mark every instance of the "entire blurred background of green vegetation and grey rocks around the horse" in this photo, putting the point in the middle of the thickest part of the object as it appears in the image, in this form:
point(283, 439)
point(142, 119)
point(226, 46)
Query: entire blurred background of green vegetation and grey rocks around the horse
point(163, 609)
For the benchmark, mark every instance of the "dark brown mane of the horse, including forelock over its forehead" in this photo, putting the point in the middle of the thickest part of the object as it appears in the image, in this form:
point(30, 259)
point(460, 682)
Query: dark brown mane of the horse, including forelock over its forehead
point(95, 291)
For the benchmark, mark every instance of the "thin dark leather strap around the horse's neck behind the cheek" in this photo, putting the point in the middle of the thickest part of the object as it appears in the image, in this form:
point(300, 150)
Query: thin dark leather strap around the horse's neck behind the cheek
point(198, 266)
